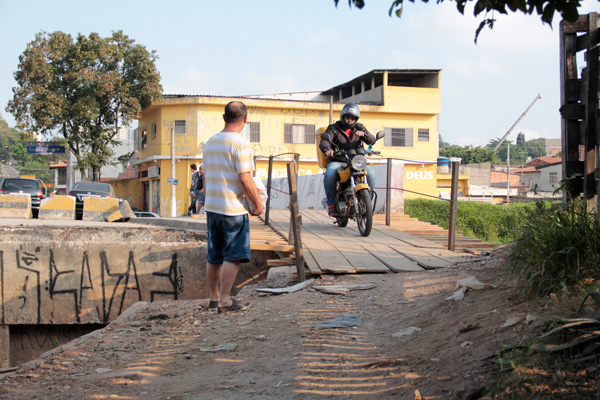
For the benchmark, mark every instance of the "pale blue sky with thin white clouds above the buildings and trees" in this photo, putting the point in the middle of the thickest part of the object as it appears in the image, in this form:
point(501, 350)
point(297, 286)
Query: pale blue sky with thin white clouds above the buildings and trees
point(234, 47)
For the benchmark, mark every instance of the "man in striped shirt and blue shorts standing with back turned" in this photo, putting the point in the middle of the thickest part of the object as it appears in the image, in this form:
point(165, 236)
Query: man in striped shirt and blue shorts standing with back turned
point(228, 167)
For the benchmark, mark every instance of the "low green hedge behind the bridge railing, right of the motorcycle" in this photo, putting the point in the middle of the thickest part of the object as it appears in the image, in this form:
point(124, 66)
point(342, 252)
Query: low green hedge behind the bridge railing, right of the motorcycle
point(488, 222)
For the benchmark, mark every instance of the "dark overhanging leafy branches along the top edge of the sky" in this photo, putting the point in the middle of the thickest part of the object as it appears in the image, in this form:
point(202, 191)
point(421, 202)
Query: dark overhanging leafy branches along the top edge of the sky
point(544, 8)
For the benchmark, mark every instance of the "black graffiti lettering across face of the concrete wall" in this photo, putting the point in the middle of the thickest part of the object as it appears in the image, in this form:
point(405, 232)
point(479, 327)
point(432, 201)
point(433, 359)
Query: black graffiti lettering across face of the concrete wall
point(64, 285)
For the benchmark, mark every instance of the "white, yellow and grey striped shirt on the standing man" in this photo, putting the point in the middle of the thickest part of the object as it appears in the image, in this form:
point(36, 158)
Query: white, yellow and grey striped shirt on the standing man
point(226, 154)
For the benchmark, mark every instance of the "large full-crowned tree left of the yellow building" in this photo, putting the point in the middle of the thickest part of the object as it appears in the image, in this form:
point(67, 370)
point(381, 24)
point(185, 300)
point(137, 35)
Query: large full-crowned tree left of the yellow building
point(85, 89)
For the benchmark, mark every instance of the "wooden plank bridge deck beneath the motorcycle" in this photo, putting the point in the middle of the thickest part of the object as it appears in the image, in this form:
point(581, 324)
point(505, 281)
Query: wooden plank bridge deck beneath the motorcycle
point(406, 245)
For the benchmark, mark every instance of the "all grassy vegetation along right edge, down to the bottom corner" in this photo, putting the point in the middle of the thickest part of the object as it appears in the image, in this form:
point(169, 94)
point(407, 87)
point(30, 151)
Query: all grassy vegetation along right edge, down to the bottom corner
point(557, 259)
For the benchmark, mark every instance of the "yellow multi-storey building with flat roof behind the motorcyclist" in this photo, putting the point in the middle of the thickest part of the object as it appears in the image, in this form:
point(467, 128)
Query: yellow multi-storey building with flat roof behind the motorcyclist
point(404, 103)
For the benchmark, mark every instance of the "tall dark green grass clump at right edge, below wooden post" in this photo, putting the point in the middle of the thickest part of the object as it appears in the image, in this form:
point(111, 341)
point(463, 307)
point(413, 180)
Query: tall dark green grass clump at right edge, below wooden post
point(558, 249)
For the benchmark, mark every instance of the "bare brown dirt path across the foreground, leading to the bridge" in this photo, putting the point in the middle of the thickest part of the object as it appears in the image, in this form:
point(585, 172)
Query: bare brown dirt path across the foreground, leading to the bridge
point(178, 350)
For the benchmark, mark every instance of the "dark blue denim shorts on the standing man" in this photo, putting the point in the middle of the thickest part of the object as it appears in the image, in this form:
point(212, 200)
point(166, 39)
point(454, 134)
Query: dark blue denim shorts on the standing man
point(228, 238)
